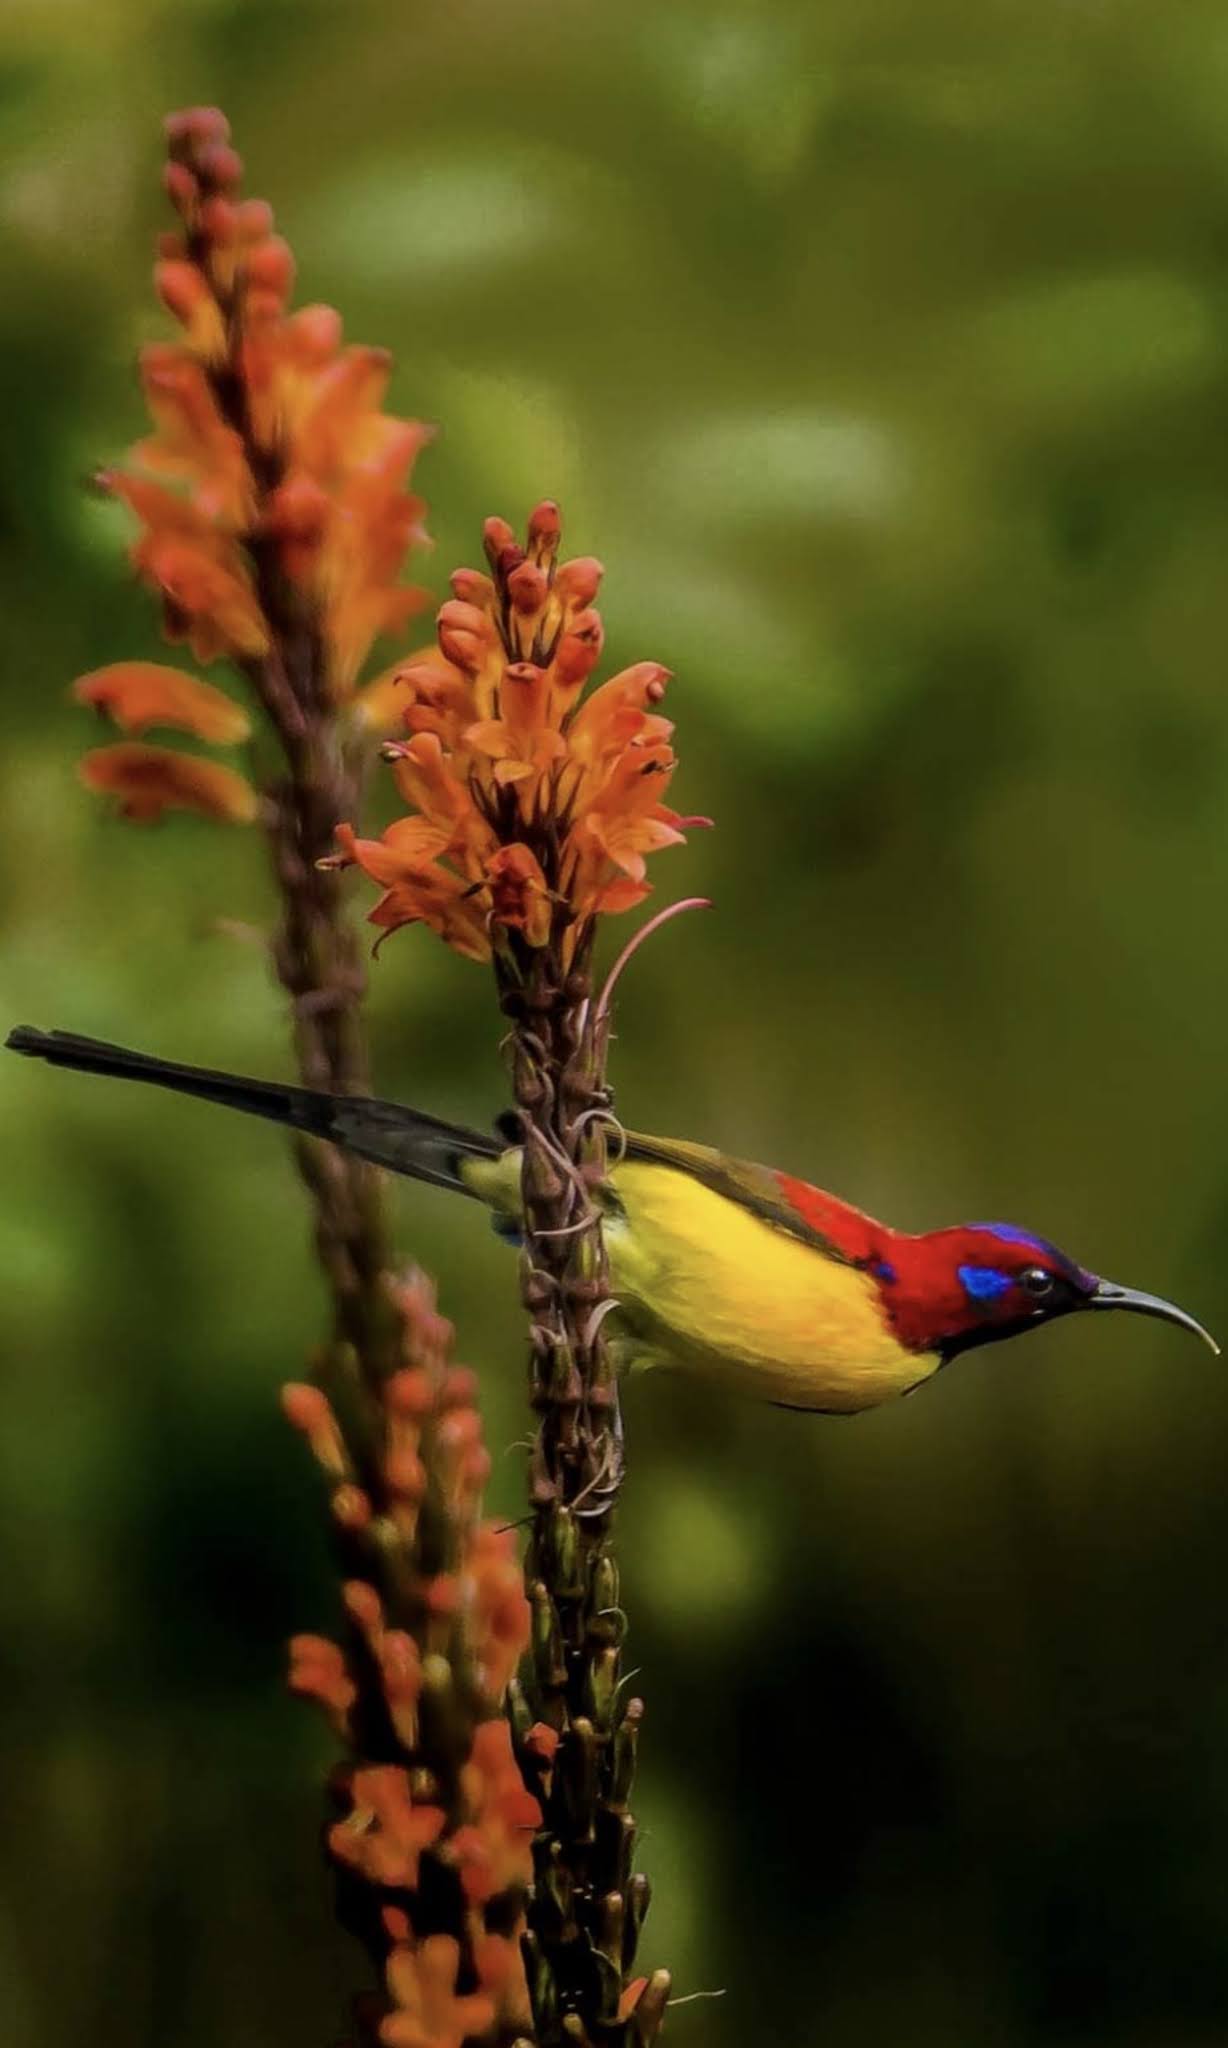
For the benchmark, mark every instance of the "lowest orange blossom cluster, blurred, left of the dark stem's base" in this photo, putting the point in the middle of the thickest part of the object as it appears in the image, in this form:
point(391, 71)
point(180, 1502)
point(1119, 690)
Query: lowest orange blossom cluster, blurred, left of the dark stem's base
point(433, 1650)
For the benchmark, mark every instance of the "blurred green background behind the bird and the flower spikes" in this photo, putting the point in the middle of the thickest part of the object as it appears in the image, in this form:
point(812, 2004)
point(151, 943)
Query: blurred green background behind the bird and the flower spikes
point(881, 353)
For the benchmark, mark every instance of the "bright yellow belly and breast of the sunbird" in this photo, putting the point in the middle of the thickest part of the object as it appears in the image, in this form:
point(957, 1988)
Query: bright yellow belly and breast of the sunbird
point(709, 1285)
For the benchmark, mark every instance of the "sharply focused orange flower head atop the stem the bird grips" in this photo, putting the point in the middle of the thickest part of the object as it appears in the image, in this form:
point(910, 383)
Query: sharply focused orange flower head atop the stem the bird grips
point(550, 802)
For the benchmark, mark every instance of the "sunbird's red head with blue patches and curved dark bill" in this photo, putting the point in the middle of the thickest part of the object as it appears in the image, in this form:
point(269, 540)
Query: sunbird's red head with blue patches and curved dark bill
point(979, 1283)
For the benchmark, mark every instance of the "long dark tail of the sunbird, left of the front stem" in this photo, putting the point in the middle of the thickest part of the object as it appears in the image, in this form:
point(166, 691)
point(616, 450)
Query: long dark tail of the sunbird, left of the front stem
point(386, 1134)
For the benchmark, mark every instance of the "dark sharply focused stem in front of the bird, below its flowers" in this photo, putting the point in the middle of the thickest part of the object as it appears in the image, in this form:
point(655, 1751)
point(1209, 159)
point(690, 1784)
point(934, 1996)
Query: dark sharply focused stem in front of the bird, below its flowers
point(588, 1902)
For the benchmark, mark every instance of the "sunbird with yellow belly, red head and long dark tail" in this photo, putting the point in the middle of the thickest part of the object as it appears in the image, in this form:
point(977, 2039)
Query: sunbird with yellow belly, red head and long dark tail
point(726, 1269)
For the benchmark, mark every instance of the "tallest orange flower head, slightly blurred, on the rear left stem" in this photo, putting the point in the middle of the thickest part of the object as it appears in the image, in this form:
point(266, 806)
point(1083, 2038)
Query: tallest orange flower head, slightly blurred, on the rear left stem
point(273, 490)
